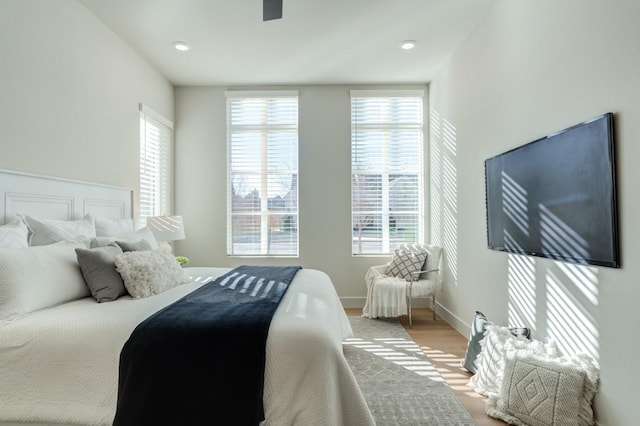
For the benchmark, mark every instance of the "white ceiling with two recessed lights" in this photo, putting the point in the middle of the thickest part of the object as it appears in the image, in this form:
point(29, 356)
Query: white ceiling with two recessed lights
point(316, 41)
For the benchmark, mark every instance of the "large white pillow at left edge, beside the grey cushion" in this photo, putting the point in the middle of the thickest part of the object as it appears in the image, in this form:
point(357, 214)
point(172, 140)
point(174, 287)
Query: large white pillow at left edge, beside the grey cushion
point(39, 277)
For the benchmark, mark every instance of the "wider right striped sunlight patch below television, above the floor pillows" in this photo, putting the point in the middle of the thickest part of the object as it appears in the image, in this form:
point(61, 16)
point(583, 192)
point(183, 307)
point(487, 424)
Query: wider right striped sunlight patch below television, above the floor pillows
point(569, 322)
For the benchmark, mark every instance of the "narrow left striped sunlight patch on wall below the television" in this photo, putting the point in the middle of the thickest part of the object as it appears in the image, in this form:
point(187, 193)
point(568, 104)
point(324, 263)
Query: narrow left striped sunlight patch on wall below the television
point(522, 291)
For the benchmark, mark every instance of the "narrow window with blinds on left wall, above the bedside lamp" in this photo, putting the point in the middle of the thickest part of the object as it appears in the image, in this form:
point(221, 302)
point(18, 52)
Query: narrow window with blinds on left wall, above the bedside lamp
point(155, 164)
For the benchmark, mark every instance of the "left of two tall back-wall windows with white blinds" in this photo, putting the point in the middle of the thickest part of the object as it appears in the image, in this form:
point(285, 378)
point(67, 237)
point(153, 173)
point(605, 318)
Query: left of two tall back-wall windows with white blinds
point(262, 170)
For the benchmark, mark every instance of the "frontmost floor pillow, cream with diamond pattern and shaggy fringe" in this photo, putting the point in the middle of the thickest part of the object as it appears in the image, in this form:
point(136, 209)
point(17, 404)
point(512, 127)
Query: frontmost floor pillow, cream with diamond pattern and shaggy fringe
point(543, 388)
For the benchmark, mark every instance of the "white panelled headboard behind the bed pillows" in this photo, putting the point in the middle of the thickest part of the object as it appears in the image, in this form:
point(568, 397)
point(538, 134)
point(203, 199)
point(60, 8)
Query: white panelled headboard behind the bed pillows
point(64, 199)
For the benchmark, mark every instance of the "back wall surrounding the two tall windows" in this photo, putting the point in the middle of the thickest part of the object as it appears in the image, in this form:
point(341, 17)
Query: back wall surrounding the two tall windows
point(325, 193)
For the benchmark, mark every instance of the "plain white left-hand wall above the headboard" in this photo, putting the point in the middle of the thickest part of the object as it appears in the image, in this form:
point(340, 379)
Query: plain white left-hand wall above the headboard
point(69, 94)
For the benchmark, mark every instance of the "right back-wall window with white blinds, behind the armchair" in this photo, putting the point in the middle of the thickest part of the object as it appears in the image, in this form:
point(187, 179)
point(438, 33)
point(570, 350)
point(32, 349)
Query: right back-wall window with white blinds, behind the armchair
point(387, 174)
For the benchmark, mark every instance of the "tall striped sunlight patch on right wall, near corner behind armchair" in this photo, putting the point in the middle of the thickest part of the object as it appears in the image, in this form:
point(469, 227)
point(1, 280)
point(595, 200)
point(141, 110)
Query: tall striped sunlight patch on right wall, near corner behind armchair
point(443, 191)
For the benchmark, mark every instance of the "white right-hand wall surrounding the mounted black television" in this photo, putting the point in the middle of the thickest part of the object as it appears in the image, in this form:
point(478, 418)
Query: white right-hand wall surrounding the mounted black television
point(532, 68)
